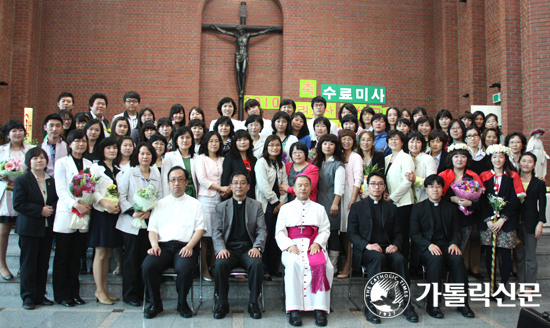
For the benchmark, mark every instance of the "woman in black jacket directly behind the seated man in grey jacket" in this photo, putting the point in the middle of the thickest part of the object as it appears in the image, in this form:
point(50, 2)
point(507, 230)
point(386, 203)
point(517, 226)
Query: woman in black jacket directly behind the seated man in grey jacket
point(240, 159)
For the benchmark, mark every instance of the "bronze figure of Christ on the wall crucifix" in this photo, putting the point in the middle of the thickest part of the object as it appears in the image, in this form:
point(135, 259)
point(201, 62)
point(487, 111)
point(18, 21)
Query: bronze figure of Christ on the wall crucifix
point(241, 55)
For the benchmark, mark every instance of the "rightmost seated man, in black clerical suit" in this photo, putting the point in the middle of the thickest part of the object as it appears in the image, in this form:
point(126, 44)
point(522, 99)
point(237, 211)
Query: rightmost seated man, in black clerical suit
point(435, 229)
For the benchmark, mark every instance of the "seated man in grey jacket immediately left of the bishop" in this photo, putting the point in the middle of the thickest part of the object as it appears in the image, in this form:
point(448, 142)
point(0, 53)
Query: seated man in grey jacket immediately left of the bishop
point(238, 235)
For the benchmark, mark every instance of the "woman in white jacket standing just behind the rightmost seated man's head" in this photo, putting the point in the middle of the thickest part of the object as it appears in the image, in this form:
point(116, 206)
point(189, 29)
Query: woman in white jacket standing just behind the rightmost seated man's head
point(424, 164)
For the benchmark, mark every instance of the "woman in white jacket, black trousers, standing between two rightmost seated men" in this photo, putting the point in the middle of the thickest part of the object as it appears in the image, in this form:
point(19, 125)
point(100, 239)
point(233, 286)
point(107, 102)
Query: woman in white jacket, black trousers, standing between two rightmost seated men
point(398, 164)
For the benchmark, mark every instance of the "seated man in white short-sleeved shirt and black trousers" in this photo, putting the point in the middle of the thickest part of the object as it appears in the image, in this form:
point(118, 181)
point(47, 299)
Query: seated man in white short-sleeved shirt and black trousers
point(175, 228)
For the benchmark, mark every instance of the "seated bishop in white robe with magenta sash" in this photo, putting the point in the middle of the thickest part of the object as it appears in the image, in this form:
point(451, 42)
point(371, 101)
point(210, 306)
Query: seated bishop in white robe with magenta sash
point(302, 233)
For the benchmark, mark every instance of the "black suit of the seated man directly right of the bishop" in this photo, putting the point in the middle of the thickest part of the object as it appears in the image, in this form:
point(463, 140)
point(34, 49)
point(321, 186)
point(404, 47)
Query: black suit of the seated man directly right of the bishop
point(360, 227)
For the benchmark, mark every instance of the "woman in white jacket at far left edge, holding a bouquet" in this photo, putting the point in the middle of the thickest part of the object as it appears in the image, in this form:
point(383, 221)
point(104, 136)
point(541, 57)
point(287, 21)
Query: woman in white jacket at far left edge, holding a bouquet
point(15, 132)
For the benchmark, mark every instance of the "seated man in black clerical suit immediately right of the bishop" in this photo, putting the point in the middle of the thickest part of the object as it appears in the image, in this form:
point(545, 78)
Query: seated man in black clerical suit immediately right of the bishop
point(374, 232)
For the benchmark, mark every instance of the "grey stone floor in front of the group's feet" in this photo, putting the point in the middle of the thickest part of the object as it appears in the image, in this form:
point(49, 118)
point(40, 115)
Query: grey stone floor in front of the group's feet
point(121, 315)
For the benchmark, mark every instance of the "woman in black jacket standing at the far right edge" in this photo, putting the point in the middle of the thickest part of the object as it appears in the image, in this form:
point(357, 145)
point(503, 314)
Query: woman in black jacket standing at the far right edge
point(532, 216)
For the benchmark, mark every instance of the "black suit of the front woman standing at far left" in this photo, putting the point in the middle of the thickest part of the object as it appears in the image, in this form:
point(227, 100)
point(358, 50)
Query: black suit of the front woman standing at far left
point(35, 238)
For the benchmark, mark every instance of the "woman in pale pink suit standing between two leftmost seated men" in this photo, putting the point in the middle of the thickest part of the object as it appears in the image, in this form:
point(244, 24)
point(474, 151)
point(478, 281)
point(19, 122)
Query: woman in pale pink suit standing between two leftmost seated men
point(209, 168)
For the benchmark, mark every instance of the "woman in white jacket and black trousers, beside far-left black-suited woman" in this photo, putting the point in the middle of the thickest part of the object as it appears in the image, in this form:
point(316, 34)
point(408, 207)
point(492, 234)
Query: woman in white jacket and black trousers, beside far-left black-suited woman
point(70, 243)
